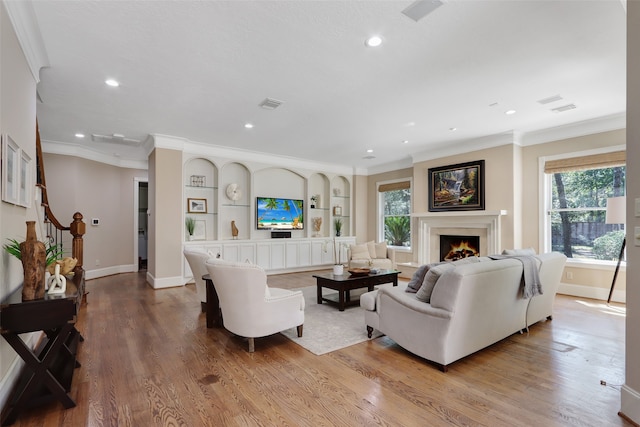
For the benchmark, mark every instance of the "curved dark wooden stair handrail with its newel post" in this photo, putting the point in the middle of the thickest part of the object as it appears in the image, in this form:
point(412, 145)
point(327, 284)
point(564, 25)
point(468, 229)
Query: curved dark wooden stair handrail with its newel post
point(77, 228)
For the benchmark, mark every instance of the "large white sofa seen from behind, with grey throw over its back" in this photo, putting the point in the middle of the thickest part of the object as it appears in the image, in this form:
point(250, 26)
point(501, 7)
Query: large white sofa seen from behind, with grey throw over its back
point(471, 307)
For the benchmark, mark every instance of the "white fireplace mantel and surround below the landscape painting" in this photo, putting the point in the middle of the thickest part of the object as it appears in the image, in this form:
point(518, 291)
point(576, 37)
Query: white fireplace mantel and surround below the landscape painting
point(429, 222)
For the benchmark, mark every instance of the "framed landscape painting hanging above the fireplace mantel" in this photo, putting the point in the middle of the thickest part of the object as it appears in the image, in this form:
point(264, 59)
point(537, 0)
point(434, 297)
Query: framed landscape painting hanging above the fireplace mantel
point(458, 187)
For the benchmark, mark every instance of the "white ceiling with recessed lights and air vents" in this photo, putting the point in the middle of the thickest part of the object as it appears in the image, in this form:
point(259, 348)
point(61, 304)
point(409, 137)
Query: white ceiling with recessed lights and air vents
point(199, 69)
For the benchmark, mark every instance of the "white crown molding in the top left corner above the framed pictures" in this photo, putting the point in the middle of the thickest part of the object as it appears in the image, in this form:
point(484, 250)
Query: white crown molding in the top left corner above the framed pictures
point(25, 25)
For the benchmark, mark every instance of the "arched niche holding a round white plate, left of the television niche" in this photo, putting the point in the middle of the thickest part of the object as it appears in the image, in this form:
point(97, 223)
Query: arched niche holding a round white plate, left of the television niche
point(235, 205)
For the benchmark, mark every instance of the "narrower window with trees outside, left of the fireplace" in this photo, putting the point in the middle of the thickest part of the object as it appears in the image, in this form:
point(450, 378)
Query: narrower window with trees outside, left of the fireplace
point(395, 203)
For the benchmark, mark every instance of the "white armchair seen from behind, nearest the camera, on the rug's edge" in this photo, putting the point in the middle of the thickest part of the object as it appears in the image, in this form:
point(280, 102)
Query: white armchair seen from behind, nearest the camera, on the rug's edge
point(249, 307)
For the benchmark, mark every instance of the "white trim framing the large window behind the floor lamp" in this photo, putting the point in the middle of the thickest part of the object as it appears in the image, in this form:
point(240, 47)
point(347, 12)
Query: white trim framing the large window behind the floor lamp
point(544, 181)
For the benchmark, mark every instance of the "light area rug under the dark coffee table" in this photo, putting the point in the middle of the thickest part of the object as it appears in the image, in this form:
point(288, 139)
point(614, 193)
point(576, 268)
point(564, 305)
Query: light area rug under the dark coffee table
point(327, 329)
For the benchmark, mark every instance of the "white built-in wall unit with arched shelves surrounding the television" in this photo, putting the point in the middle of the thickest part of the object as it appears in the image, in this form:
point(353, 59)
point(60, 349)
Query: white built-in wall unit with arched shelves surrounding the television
point(217, 195)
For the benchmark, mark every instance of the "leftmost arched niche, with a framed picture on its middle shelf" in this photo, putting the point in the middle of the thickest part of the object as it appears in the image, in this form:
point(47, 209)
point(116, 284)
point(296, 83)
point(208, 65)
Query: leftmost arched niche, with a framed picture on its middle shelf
point(200, 198)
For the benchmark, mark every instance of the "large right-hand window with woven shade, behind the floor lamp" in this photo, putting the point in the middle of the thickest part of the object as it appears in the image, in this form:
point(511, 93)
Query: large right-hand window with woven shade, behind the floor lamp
point(580, 188)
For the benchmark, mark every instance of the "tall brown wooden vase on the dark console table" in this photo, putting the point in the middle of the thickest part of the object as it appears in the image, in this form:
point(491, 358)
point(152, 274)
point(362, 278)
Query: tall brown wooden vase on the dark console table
point(33, 255)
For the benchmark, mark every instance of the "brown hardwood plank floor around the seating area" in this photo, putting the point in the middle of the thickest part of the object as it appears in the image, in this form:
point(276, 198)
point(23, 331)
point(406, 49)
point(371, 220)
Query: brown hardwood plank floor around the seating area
point(148, 359)
